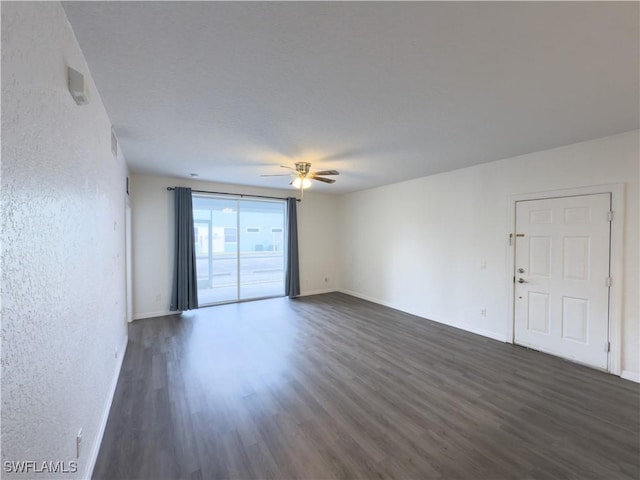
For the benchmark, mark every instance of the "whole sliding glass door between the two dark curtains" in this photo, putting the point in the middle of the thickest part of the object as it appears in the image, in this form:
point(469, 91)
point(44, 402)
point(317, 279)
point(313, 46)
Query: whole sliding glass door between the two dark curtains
point(239, 248)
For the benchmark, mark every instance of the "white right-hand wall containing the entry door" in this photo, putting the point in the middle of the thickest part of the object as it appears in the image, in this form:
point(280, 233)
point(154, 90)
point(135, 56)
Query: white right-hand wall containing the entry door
point(418, 246)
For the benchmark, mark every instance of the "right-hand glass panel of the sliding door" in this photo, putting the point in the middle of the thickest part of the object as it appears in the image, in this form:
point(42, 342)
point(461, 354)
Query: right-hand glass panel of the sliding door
point(261, 249)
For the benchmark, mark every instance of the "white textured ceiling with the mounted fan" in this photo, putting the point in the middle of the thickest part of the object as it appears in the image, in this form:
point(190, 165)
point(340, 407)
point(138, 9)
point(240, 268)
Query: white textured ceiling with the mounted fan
point(381, 91)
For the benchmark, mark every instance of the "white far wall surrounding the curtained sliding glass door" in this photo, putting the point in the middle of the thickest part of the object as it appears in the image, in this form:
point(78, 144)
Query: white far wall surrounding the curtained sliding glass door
point(153, 239)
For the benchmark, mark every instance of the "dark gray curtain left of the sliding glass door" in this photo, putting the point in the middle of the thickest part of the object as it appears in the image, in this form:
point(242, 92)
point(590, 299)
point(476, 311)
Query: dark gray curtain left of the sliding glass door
point(185, 283)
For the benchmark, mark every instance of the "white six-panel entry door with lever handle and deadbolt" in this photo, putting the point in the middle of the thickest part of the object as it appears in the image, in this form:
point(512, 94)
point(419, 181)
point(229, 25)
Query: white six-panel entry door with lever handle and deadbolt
point(561, 277)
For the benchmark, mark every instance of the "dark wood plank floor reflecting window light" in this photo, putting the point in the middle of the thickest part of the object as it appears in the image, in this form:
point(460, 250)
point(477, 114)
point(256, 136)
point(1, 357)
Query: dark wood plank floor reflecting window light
point(335, 387)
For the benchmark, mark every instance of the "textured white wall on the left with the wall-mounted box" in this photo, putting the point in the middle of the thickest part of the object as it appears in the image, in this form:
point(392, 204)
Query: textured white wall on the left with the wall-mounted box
point(63, 293)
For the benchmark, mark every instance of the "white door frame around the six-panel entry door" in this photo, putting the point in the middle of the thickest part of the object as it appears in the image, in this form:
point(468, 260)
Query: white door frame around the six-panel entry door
point(616, 264)
